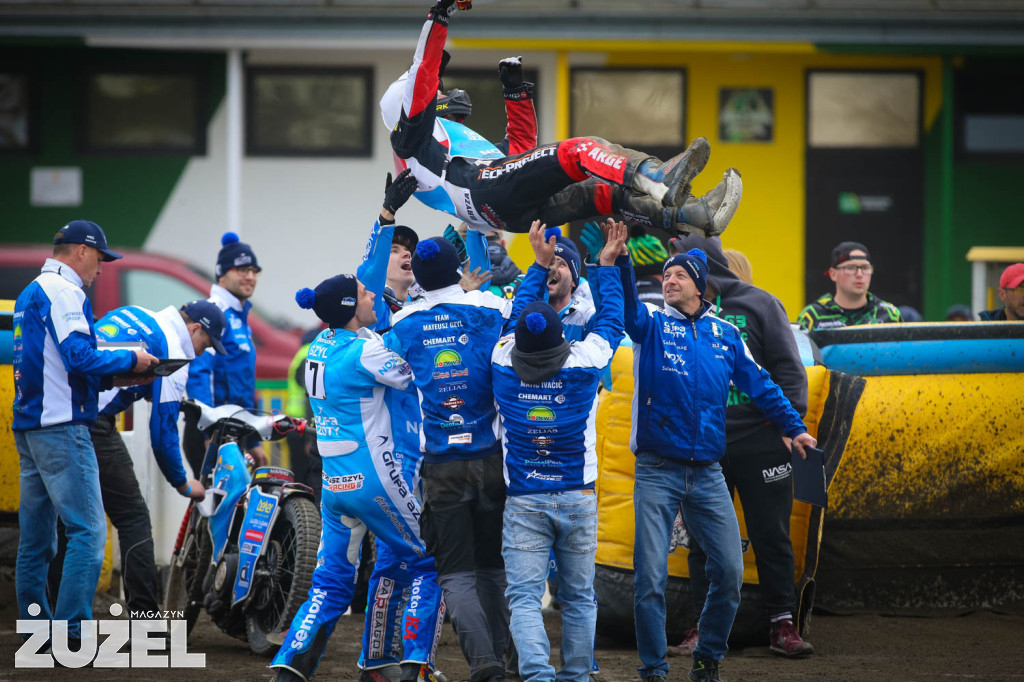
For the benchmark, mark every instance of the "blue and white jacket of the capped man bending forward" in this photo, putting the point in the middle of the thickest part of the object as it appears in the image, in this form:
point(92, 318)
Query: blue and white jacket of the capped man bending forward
point(165, 335)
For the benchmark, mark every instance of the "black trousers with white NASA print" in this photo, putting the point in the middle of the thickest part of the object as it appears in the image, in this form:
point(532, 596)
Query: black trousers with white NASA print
point(758, 467)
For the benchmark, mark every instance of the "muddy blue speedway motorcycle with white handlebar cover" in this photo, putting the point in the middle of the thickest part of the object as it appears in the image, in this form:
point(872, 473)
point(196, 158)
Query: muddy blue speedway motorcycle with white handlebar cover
point(246, 552)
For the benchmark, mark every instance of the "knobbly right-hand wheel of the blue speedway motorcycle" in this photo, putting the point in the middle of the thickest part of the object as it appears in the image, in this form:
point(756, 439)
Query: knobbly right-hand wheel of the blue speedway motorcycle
point(291, 558)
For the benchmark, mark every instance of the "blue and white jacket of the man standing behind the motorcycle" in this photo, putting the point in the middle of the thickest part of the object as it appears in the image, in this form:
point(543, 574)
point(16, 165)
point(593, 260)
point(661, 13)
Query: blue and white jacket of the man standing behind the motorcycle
point(229, 379)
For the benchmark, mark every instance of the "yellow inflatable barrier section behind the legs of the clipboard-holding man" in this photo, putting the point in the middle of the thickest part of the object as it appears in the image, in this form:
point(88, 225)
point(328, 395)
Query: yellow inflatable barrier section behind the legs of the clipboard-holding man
point(832, 401)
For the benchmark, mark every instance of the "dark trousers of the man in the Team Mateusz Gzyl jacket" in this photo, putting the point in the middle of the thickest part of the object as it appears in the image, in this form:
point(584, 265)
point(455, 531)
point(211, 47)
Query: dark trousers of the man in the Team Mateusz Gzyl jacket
point(461, 525)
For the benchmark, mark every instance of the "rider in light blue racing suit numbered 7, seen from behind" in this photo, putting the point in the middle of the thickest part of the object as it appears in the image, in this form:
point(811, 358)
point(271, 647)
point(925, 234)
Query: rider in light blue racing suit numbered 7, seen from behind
point(350, 373)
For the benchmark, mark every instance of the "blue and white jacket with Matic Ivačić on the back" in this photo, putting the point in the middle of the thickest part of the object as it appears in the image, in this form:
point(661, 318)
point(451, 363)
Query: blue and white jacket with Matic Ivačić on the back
point(549, 436)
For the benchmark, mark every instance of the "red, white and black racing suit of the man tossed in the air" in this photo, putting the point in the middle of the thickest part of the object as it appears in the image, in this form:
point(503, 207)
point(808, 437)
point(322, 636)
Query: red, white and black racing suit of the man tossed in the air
point(463, 175)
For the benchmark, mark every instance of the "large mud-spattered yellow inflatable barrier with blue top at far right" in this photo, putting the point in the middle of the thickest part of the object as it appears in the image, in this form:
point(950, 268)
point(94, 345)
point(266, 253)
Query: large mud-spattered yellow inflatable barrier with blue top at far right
point(927, 510)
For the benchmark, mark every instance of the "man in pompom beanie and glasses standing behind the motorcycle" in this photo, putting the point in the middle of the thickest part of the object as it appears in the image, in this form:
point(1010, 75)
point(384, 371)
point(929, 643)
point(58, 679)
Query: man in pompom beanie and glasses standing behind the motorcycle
point(230, 379)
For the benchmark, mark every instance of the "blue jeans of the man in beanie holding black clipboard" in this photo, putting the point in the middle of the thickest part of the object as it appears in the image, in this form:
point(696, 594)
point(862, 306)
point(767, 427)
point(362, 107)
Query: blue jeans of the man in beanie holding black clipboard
point(663, 487)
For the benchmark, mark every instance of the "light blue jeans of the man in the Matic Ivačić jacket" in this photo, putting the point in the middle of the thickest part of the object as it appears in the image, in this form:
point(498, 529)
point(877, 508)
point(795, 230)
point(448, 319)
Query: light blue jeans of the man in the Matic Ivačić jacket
point(534, 525)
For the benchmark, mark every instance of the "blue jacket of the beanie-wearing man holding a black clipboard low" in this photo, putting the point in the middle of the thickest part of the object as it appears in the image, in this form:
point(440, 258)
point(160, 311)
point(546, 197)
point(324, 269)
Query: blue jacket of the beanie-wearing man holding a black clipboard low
point(682, 369)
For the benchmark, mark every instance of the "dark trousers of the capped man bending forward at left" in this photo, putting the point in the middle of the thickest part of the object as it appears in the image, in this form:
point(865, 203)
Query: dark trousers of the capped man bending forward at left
point(125, 507)
